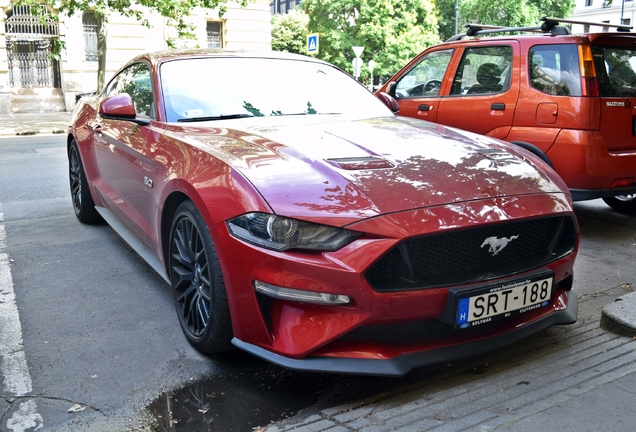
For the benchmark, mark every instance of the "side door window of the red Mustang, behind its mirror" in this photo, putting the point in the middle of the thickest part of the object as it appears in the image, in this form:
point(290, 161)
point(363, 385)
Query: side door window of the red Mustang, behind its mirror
point(135, 80)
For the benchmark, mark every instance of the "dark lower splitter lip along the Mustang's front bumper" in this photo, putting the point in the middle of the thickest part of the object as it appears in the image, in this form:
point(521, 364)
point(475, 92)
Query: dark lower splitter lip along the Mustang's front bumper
point(402, 364)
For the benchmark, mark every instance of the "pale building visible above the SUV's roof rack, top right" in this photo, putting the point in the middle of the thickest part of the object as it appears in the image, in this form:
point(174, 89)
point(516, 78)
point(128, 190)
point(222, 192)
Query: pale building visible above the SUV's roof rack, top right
point(603, 11)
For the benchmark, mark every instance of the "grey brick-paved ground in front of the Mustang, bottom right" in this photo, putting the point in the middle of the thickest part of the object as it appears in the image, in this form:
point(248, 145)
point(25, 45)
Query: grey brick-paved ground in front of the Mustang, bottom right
point(571, 378)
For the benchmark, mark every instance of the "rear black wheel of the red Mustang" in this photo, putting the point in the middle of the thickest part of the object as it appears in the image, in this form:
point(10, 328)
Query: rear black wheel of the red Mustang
point(83, 204)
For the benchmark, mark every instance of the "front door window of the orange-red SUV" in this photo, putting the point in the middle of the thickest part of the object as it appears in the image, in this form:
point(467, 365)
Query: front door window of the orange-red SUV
point(425, 79)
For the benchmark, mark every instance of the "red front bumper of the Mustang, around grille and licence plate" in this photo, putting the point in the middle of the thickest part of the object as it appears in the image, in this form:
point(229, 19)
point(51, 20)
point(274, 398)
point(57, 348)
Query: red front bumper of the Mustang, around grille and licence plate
point(387, 331)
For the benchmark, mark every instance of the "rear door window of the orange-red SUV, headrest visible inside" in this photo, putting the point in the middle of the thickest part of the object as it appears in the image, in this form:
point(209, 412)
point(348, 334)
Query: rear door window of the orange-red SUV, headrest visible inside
point(483, 70)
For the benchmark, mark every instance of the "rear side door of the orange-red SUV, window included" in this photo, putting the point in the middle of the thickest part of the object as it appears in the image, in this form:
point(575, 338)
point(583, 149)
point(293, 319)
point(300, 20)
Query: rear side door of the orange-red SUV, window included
point(484, 90)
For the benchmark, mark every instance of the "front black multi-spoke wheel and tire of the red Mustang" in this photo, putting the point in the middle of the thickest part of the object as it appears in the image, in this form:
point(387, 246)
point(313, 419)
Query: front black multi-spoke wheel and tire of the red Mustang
point(197, 283)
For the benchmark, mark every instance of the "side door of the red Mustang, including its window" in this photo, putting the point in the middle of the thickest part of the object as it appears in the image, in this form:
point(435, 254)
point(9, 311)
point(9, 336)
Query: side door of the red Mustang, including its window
point(119, 146)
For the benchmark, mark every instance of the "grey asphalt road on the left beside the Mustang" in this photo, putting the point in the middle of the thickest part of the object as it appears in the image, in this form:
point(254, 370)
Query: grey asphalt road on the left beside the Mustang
point(99, 330)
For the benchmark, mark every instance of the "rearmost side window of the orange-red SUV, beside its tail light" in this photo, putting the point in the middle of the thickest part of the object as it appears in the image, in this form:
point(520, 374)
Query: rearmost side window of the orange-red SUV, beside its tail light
point(555, 70)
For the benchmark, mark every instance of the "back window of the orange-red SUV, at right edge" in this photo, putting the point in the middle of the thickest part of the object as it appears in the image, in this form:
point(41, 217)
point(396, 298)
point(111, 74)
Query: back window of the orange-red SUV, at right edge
point(615, 70)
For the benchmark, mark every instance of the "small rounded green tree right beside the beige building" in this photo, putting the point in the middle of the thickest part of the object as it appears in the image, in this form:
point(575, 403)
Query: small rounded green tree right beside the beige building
point(289, 31)
